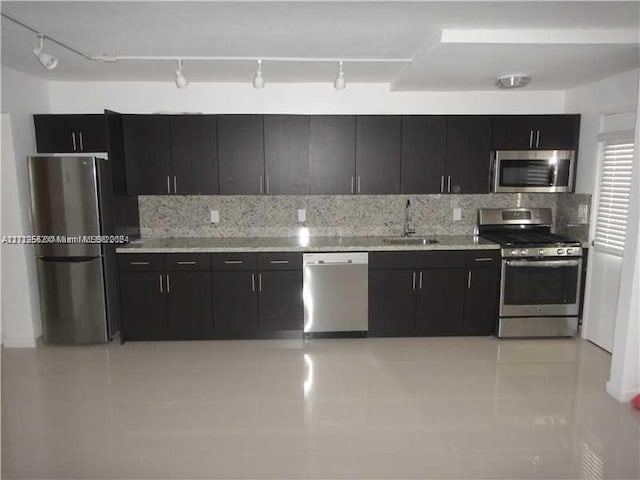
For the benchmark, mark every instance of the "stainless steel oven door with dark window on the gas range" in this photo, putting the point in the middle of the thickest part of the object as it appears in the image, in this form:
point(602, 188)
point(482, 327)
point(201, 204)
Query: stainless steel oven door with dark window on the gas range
point(540, 287)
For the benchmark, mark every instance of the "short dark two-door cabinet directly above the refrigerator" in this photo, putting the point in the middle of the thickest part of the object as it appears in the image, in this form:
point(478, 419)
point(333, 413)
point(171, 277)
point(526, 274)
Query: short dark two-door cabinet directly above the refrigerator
point(70, 133)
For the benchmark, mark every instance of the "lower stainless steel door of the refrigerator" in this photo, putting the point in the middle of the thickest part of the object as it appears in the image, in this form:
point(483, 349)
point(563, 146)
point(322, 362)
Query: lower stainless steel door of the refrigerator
point(72, 300)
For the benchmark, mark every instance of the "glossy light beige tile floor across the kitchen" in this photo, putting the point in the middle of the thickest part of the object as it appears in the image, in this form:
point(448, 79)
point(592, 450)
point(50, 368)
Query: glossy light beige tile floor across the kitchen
point(354, 408)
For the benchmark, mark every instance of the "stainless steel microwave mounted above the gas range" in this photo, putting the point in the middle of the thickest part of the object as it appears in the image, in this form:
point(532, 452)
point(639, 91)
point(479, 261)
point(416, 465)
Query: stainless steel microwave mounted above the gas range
point(542, 171)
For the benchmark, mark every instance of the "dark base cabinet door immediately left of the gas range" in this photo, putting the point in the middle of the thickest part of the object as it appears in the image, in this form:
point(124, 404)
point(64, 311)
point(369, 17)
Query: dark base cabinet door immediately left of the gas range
point(480, 312)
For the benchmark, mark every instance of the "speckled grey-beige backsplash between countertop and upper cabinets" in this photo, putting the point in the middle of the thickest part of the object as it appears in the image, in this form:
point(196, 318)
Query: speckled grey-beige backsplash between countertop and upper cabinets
point(338, 215)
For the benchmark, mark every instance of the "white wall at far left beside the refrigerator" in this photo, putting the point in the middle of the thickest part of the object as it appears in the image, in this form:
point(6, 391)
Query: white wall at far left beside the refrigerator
point(22, 95)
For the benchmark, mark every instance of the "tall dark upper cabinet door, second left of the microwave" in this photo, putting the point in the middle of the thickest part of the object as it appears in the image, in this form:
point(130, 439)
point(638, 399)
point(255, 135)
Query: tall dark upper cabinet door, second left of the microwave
point(423, 151)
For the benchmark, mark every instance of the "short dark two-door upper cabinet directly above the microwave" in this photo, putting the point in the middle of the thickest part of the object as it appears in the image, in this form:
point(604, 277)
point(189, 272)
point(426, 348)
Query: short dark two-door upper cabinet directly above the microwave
point(536, 132)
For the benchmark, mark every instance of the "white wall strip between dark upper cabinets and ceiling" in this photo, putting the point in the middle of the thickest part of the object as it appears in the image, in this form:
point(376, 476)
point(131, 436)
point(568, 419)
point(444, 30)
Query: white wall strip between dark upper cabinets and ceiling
point(148, 97)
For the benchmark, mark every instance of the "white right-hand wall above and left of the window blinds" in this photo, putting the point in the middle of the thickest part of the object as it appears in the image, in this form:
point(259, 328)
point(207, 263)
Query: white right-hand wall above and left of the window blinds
point(612, 95)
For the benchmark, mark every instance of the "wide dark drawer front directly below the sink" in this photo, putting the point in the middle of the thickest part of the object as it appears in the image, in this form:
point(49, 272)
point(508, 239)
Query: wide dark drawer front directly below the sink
point(417, 260)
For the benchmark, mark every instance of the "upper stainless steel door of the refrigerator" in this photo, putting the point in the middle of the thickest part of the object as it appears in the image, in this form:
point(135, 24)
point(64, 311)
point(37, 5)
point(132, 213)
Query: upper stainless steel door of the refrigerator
point(64, 202)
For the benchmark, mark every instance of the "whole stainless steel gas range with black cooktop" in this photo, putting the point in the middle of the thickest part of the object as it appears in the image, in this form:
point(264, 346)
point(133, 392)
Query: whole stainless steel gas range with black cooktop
point(541, 273)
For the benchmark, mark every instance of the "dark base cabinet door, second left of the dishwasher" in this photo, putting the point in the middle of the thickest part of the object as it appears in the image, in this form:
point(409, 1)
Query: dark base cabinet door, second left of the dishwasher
point(235, 307)
